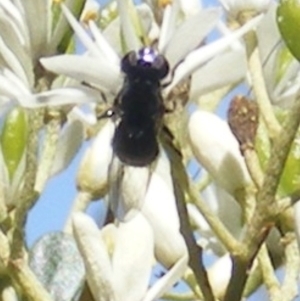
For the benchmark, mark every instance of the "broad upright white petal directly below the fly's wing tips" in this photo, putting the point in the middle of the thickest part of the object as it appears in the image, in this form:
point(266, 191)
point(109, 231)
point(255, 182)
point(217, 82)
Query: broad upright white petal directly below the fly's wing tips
point(133, 258)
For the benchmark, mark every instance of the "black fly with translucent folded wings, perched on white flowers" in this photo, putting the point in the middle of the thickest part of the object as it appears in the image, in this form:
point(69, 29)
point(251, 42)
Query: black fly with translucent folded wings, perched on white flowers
point(137, 113)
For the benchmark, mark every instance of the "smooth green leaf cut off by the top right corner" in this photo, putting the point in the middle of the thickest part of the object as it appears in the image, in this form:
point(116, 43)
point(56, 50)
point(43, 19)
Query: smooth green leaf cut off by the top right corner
point(288, 21)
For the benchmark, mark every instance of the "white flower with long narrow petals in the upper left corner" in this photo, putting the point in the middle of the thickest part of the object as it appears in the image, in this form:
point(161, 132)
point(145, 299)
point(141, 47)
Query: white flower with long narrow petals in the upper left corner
point(22, 44)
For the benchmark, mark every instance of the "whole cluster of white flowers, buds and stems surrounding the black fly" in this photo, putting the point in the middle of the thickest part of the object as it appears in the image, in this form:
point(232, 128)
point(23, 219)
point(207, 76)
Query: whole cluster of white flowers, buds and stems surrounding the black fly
point(60, 69)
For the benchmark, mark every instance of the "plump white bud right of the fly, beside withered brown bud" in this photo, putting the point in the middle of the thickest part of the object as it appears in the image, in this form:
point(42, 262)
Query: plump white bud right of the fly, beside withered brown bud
point(216, 148)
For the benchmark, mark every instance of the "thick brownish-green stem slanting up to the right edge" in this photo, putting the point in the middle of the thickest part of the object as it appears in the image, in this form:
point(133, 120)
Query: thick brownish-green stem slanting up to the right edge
point(267, 209)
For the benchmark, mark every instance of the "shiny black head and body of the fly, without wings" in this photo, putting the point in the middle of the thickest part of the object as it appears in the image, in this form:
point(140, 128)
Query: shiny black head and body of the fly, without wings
point(139, 107)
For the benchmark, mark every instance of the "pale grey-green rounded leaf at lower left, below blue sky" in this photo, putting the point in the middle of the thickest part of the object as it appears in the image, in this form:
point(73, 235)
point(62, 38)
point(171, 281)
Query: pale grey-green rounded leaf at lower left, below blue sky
point(58, 265)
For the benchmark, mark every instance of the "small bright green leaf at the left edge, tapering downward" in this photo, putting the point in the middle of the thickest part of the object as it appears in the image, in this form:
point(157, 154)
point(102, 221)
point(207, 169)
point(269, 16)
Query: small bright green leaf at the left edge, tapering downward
point(14, 139)
